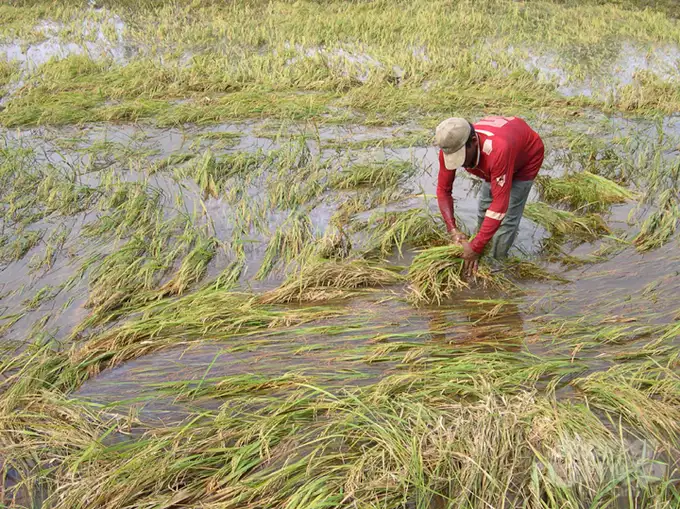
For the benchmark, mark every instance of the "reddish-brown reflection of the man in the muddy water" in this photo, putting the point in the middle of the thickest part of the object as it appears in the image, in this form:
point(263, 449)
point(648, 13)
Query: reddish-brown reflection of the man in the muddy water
point(485, 321)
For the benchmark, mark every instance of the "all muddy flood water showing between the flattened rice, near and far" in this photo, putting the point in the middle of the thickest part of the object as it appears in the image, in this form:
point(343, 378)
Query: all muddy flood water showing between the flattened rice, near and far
point(633, 286)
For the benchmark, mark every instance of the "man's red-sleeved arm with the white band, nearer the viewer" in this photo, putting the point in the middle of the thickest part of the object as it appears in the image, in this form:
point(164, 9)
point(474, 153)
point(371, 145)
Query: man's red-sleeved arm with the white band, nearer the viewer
point(501, 184)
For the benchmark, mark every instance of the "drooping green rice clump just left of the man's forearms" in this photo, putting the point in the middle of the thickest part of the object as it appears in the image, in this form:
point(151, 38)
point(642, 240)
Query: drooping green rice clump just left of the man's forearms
point(394, 229)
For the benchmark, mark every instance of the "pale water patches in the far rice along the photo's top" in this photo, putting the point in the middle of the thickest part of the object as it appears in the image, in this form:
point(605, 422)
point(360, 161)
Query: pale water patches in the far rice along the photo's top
point(575, 72)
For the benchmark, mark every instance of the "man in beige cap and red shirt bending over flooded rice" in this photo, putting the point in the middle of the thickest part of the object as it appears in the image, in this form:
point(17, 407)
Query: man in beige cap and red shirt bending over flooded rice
point(507, 154)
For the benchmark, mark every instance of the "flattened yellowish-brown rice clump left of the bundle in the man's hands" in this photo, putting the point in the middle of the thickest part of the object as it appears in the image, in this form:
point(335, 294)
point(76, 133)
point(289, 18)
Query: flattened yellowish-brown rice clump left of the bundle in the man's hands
point(318, 281)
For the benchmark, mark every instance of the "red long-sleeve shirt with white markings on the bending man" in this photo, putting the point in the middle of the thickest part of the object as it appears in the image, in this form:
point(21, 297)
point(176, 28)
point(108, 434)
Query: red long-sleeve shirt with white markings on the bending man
point(509, 150)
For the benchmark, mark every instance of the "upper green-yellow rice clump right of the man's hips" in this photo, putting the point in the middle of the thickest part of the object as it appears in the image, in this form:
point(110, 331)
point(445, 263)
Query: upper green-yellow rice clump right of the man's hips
point(583, 190)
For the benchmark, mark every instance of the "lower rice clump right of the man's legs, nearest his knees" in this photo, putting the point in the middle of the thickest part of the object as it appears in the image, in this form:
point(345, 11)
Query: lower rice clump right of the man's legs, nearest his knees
point(563, 223)
